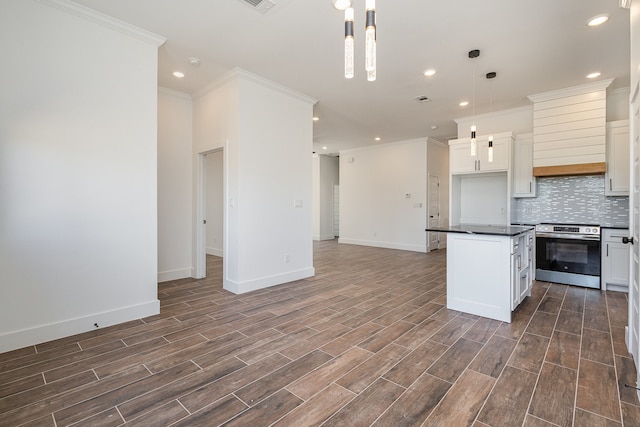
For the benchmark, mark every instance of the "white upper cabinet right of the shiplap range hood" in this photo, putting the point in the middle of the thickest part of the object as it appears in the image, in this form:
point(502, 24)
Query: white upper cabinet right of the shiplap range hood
point(617, 176)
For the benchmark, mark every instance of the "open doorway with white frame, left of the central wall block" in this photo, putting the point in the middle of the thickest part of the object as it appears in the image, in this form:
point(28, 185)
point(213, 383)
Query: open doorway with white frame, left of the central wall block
point(210, 212)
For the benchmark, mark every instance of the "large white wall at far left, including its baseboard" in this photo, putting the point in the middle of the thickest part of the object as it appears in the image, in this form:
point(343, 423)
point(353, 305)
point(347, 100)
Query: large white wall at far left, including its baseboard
point(78, 196)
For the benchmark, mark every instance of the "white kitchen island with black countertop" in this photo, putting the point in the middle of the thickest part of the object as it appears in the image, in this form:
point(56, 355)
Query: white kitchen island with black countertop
point(489, 268)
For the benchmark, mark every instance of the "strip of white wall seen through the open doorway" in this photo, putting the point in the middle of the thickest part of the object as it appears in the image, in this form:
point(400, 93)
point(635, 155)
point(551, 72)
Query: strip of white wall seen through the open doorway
point(214, 196)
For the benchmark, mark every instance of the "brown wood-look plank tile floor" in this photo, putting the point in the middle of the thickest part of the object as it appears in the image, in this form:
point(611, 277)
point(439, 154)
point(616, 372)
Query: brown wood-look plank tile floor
point(367, 341)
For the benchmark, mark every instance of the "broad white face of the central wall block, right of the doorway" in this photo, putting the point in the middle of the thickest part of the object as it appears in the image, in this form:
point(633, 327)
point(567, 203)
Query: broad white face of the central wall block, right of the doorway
point(274, 190)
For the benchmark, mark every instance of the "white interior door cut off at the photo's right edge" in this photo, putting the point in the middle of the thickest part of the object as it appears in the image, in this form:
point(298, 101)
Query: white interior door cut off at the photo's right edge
point(633, 335)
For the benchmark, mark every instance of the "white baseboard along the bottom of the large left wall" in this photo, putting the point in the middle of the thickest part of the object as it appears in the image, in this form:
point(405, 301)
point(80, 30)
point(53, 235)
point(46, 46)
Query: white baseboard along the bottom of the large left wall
point(53, 331)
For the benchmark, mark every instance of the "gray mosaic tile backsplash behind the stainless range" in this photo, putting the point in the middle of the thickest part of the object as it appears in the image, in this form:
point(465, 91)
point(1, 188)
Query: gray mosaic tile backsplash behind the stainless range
point(572, 200)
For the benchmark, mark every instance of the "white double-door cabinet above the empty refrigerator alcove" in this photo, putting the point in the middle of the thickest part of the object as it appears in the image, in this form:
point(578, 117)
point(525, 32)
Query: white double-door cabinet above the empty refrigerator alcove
point(461, 161)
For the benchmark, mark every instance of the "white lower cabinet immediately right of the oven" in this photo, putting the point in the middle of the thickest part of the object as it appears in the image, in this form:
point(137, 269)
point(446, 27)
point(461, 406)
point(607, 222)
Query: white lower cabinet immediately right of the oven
point(615, 260)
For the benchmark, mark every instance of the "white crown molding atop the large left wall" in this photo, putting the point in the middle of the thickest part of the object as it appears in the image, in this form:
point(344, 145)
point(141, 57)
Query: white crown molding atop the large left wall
point(105, 21)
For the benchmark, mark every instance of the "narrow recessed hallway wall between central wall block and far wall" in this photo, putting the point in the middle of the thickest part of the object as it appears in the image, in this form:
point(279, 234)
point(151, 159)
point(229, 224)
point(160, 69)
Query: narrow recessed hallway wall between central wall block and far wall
point(325, 176)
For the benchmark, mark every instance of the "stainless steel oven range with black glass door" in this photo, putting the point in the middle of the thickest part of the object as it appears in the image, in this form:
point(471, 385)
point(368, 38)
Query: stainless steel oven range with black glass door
point(569, 254)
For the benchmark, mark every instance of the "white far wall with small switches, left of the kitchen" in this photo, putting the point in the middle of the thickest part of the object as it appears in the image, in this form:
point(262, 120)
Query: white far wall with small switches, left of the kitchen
point(374, 183)
